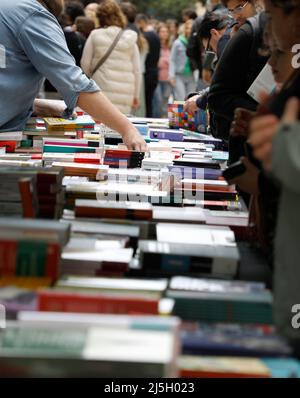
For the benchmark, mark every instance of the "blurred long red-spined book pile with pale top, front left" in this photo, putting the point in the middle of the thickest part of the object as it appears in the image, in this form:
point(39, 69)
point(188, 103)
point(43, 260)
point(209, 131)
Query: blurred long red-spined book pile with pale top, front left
point(106, 296)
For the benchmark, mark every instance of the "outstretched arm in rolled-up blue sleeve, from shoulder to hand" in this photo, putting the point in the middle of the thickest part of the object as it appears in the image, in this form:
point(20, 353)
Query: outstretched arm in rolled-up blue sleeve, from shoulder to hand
point(44, 44)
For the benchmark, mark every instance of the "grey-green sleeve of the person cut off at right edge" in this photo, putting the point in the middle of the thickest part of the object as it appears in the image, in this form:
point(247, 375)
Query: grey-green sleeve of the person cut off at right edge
point(286, 156)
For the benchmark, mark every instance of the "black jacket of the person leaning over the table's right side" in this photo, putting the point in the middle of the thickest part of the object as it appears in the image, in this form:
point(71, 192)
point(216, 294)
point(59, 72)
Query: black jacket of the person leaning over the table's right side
point(237, 68)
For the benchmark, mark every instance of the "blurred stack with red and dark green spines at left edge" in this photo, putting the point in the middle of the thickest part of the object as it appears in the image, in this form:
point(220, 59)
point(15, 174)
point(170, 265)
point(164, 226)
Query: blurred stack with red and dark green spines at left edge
point(31, 248)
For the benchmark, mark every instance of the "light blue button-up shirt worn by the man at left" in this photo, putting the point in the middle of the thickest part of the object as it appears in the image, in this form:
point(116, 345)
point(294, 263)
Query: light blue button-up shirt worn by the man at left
point(33, 46)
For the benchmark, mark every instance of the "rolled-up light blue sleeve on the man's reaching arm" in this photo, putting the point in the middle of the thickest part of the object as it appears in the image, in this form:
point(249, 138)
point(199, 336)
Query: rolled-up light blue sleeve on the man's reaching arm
point(43, 42)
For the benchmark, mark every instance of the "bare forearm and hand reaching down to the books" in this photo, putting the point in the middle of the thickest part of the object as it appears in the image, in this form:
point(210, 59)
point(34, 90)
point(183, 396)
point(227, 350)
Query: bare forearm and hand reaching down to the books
point(100, 108)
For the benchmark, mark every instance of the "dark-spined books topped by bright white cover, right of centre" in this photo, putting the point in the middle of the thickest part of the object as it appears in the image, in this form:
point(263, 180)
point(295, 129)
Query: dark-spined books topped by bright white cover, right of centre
point(185, 249)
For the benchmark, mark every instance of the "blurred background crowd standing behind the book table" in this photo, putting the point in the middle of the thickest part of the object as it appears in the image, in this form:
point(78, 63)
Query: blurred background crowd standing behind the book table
point(152, 62)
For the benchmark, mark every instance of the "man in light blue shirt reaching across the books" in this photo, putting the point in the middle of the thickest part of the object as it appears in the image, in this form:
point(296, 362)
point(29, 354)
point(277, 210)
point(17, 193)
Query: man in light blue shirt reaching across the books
point(33, 46)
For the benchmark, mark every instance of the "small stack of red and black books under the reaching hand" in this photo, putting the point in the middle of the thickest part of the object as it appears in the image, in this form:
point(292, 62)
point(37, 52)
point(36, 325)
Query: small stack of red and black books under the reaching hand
point(123, 158)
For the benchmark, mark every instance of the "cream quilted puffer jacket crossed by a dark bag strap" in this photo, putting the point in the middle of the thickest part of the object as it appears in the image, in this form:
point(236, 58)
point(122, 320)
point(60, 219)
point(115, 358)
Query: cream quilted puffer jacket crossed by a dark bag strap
point(120, 76)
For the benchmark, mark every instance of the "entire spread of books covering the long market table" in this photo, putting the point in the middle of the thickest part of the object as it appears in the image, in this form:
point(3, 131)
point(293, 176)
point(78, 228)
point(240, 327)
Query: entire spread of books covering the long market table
point(140, 236)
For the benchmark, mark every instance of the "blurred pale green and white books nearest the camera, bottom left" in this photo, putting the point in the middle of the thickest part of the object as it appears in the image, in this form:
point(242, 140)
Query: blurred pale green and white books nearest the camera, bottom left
point(107, 348)
